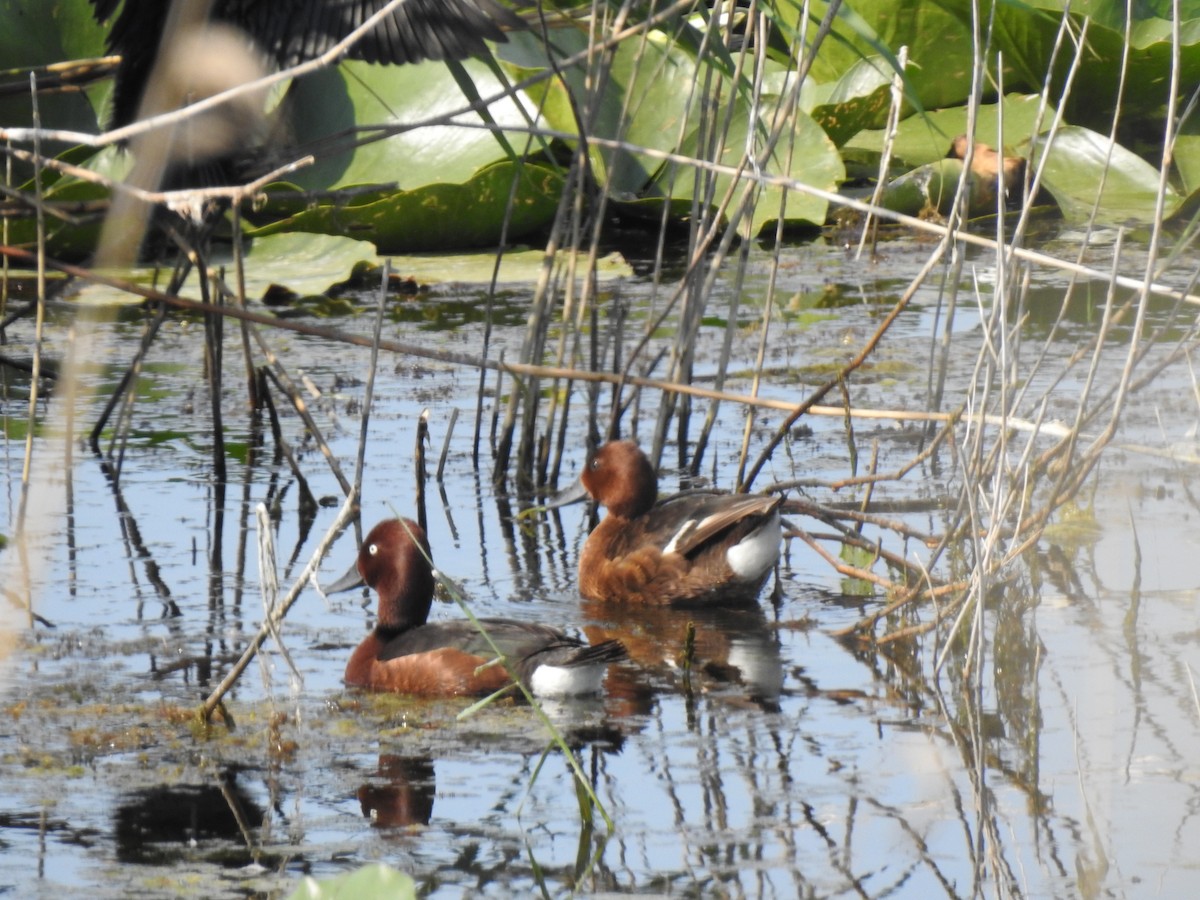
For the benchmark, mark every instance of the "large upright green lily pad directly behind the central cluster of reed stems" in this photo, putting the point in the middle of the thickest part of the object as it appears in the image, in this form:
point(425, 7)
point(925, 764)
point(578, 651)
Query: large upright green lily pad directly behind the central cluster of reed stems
point(652, 100)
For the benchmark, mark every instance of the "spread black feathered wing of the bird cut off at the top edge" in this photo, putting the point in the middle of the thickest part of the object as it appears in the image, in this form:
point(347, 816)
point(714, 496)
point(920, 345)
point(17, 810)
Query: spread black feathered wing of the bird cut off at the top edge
point(297, 31)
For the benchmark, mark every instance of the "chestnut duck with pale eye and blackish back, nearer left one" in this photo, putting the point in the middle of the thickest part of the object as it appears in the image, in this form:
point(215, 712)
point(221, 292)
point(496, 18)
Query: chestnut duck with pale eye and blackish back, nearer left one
point(407, 655)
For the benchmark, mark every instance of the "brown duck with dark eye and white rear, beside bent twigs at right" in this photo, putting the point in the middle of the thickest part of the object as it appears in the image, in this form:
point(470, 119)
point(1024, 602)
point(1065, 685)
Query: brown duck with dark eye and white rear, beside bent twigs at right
point(692, 549)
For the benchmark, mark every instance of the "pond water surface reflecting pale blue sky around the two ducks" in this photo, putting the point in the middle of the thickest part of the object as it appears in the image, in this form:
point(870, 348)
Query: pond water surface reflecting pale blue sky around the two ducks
point(790, 764)
